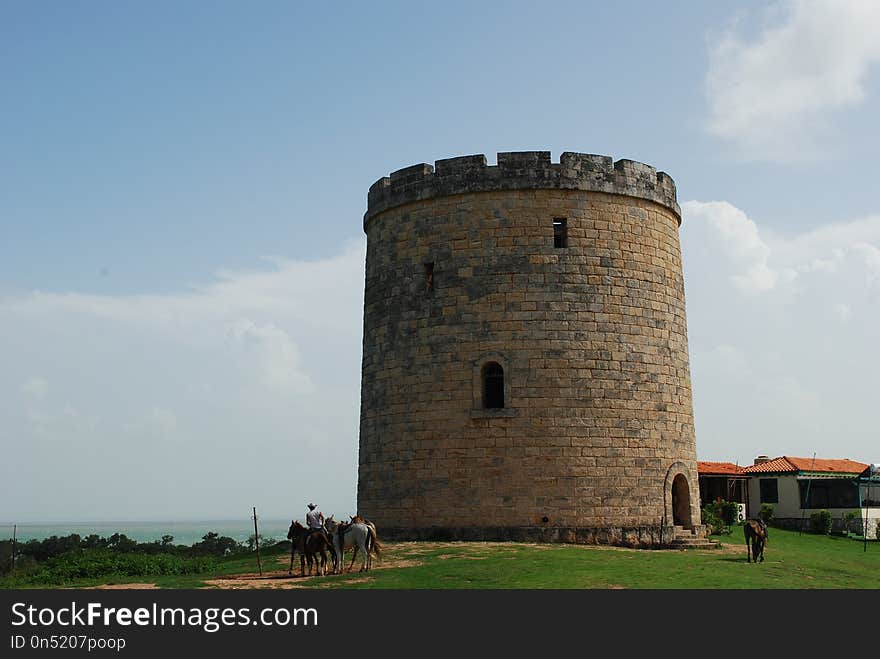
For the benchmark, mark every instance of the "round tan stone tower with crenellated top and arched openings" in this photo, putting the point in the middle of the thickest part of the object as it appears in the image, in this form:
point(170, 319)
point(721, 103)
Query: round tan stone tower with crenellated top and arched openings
point(525, 361)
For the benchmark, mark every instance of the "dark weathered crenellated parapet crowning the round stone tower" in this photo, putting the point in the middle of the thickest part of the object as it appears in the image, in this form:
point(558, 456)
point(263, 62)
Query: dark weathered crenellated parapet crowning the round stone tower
point(521, 170)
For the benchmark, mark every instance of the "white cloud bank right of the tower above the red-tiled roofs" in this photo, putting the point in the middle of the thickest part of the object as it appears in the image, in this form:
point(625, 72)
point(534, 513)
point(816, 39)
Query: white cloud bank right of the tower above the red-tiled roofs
point(782, 334)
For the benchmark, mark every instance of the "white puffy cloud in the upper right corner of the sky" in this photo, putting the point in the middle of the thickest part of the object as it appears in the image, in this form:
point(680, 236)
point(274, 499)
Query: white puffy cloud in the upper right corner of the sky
point(771, 96)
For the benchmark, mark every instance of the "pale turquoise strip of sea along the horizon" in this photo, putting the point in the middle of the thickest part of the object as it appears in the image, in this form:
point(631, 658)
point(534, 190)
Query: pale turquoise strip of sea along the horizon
point(185, 533)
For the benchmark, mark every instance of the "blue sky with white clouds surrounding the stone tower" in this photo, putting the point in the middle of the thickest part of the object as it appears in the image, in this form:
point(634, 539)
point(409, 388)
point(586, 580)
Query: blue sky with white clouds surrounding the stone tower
point(182, 189)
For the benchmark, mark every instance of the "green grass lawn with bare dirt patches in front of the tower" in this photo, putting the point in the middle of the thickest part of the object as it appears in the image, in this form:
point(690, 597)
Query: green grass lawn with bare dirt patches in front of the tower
point(791, 561)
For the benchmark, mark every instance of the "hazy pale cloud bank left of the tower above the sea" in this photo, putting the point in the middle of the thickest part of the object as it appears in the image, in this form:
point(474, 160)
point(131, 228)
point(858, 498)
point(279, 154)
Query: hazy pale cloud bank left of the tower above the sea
point(248, 385)
